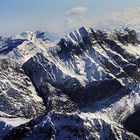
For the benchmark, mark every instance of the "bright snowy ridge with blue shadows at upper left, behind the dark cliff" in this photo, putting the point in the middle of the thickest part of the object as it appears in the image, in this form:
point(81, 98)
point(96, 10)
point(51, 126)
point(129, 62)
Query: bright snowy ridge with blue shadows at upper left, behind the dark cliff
point(22, 47)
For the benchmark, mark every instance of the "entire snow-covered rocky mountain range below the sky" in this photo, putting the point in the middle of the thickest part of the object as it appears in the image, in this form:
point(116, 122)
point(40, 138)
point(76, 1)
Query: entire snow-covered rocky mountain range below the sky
point(84, 87)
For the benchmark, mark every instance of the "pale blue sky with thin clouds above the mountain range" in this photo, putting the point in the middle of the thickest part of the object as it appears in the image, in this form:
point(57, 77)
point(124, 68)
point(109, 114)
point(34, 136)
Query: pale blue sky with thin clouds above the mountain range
point(60, 15)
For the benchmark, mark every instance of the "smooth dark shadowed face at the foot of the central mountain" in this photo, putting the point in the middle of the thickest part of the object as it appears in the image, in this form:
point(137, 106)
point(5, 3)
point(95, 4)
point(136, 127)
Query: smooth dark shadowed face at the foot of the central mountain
point(93, 92)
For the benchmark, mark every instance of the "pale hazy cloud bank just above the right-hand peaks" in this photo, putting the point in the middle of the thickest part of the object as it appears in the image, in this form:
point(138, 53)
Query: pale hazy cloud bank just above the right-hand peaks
point(113, 19)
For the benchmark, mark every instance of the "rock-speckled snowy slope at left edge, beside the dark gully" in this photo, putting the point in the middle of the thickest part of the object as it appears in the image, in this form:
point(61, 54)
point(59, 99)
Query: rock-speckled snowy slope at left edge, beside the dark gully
point(17, 94)
